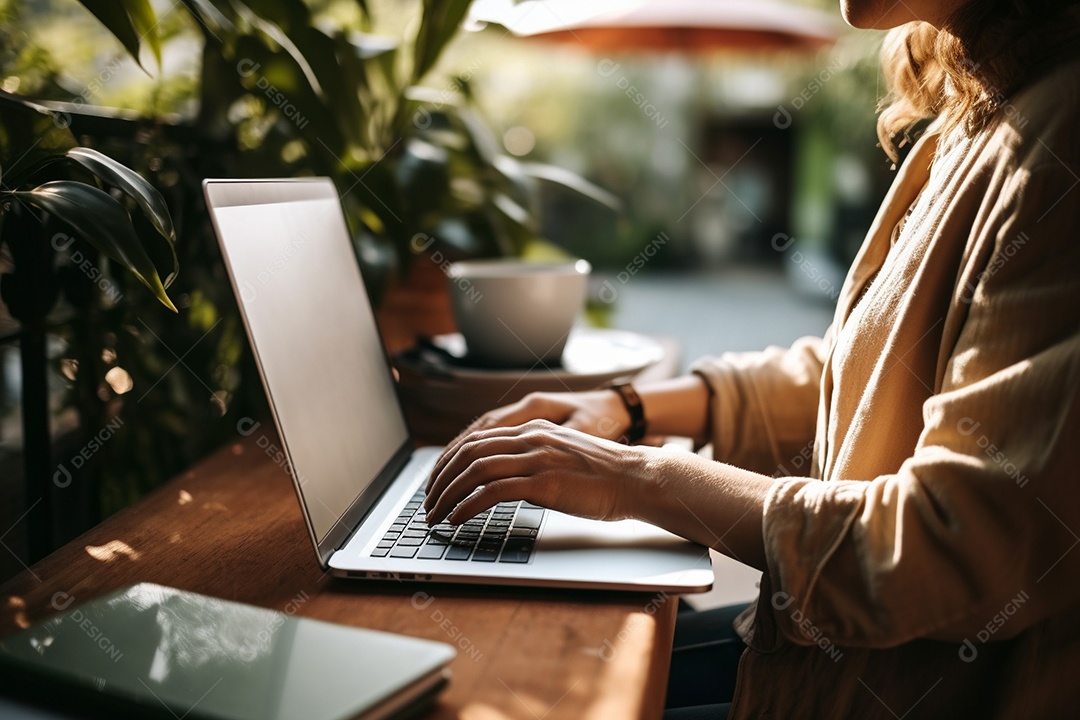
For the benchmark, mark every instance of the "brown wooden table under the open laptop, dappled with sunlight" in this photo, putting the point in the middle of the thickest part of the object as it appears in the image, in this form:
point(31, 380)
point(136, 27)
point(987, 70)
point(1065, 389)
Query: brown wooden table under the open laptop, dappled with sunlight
point(233, 528)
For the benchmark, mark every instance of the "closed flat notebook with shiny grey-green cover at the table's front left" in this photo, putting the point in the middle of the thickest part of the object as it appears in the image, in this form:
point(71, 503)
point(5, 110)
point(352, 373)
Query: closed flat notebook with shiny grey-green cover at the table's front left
point(151, 651)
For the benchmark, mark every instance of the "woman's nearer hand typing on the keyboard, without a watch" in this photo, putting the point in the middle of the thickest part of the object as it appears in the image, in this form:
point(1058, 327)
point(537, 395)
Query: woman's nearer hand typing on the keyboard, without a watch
point(551, 466)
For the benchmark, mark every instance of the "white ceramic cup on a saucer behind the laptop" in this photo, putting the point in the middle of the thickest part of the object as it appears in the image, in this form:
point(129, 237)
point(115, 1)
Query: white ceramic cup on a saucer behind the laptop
point(517, 314)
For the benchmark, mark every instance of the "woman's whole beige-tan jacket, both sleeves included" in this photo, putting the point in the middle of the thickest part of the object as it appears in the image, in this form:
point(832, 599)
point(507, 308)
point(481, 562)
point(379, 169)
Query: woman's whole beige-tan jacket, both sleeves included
point(926, 566)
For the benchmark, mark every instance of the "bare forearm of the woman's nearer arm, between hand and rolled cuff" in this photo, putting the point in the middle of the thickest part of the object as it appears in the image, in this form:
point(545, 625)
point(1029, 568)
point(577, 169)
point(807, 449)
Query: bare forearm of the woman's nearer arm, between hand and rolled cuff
point(712, 504)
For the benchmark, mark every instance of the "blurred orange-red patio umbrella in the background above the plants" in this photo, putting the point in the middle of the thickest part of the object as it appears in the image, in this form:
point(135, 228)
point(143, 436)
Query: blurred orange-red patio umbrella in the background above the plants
point(688, 26)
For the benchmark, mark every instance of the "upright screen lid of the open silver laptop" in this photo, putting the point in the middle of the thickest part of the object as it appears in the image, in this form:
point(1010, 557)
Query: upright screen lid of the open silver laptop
point(312, 328)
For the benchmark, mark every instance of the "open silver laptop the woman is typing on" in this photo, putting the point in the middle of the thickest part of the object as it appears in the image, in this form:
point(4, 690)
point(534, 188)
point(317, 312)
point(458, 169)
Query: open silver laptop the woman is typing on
point(359, 476)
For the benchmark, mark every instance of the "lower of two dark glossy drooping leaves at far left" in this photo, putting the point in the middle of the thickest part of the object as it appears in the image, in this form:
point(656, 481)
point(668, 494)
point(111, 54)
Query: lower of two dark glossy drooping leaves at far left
point(103, 222)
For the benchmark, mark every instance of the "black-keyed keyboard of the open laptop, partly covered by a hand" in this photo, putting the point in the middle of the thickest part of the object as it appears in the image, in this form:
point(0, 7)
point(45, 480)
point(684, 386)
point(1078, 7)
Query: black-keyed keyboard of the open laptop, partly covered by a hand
point(505, 534)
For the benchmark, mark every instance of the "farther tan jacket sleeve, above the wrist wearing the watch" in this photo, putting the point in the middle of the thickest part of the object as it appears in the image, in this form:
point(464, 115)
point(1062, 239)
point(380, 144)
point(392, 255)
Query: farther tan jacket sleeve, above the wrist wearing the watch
point(764, 406)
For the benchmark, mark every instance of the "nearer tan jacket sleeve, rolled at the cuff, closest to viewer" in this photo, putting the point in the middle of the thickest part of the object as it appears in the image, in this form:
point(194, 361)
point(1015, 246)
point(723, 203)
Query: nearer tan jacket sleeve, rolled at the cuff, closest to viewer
point(978, 531)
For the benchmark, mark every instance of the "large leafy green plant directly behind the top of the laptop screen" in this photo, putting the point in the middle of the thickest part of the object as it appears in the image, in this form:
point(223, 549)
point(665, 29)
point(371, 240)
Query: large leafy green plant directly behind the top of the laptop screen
point(306, 94)
